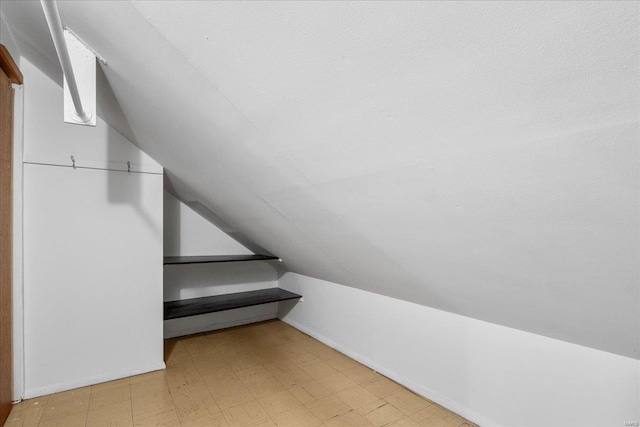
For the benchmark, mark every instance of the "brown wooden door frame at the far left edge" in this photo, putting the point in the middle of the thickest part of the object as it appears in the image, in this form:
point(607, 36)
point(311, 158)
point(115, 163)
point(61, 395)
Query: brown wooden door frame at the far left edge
point(13, 75)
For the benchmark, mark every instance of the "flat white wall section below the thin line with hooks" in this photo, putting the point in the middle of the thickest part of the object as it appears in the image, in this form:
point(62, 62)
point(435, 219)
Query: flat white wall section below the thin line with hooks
point(93, 276)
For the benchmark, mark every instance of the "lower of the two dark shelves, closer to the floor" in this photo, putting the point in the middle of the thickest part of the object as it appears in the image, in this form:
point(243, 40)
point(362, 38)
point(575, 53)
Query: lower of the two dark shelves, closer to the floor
point(195, 306)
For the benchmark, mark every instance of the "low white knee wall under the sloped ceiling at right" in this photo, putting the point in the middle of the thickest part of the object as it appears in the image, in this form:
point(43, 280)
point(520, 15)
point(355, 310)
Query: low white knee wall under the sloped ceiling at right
point(490, 374)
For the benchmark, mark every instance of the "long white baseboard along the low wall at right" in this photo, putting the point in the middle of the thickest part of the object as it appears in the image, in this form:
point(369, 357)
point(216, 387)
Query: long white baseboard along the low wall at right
point(451, 405)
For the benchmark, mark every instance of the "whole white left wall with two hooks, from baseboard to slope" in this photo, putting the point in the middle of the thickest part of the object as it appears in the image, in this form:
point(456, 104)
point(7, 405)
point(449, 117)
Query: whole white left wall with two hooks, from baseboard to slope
point(92, 248)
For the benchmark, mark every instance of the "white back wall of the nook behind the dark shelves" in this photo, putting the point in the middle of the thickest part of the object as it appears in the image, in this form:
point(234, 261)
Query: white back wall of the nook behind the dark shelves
point(187, 233)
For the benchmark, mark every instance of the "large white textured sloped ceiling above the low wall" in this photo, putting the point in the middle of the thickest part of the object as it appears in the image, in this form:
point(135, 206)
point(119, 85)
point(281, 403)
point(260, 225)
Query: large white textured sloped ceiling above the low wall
point(476, 157)
